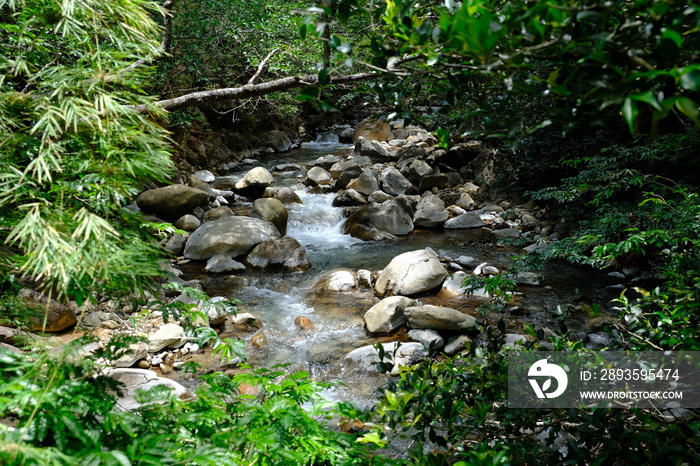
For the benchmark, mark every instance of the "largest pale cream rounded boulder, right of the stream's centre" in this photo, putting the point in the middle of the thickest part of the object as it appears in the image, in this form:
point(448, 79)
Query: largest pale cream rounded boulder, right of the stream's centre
point(411, 273)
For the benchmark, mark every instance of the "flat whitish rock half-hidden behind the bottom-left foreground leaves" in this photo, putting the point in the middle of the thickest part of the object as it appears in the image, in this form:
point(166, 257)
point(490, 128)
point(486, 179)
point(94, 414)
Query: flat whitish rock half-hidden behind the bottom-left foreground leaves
point(134, 380)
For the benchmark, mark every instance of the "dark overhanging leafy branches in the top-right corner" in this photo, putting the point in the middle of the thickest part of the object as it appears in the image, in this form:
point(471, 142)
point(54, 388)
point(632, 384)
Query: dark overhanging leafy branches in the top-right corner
point(569, 61)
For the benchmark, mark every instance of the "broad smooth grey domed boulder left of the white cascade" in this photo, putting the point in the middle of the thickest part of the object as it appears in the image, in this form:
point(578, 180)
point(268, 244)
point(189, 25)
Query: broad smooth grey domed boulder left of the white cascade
point(230, 236)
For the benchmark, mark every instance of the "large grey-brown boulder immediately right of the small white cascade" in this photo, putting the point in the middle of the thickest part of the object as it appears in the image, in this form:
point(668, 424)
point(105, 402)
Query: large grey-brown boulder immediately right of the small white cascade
point(379, 221)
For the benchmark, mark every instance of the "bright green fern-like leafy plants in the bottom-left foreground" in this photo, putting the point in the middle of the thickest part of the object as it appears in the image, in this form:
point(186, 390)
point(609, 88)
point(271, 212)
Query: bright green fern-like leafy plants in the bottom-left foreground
point(65, 414)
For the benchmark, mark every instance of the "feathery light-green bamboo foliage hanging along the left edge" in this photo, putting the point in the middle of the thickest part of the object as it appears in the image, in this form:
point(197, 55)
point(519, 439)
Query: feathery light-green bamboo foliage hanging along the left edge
point(73, 151)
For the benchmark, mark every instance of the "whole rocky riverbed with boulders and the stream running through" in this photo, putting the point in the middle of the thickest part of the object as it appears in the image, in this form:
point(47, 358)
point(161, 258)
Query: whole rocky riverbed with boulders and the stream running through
point(341, 248)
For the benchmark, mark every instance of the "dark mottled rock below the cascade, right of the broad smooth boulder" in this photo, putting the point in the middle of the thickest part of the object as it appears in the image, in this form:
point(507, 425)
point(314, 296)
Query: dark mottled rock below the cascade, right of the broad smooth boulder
point(278, 255)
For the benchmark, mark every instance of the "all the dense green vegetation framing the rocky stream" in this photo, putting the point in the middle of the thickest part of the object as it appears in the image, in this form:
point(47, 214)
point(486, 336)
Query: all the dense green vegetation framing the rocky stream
point(598, 100)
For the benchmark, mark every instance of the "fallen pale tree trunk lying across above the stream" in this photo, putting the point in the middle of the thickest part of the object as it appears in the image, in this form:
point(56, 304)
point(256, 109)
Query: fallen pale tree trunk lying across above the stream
point(249, 90)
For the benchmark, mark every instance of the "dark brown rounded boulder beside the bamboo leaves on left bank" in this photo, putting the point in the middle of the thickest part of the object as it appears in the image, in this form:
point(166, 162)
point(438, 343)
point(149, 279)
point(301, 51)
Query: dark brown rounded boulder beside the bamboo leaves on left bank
point(171, 202)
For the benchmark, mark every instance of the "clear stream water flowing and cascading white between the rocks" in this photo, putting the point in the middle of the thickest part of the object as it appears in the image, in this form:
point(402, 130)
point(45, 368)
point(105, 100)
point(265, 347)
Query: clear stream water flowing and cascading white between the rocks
point(278, 299)
